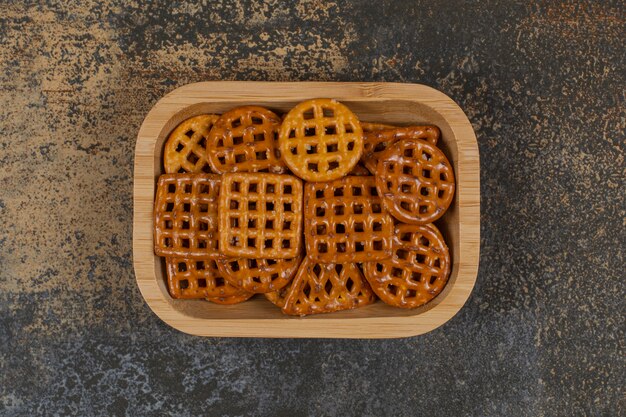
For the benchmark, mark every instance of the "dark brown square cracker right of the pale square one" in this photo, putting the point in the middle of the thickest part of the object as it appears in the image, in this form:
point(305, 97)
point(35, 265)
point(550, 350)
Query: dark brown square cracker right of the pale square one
point(345, 221)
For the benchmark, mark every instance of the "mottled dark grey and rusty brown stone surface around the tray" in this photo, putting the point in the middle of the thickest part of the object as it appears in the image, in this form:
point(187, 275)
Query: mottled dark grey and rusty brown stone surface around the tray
point(542, 83)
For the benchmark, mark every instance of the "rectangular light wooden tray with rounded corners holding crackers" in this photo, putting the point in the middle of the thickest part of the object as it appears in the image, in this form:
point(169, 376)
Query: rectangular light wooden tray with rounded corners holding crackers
point(378, 102)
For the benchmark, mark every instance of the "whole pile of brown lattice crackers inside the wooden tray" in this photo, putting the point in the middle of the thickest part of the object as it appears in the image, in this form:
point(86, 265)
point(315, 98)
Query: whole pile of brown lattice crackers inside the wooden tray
point(317, 211)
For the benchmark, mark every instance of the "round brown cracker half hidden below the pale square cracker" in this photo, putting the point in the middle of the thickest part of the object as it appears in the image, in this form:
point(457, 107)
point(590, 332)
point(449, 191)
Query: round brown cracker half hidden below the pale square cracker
point(259, 275)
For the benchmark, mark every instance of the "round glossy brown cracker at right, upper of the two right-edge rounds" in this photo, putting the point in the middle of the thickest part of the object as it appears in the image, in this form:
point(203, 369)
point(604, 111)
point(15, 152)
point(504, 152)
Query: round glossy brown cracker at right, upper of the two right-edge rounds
point(415, 180)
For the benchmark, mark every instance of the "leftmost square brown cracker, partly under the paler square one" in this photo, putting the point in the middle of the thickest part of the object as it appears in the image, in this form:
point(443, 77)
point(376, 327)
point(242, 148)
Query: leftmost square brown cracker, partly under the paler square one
point(186, 216)
